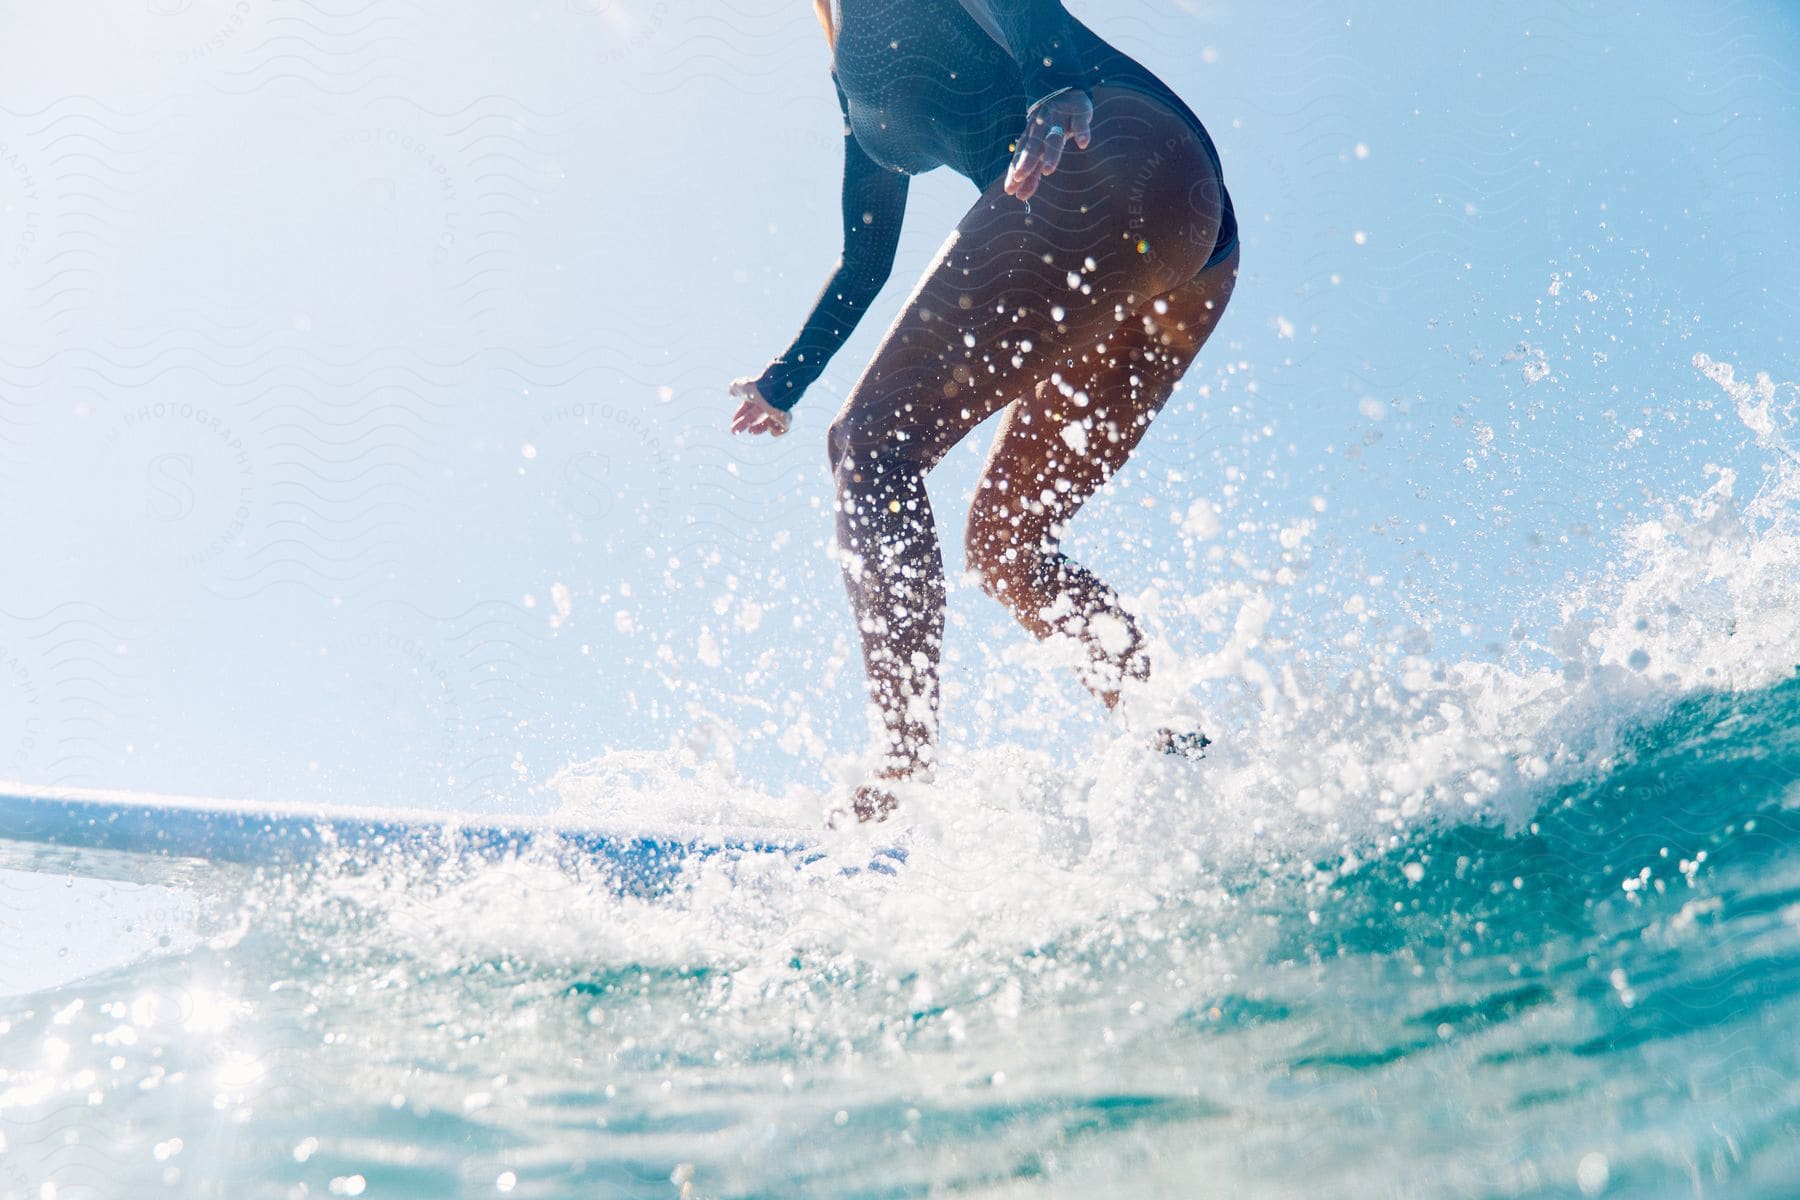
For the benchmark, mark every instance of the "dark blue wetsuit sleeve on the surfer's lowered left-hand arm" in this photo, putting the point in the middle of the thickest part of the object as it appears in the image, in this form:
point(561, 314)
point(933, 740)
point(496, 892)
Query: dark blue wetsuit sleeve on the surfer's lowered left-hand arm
point(874, 211)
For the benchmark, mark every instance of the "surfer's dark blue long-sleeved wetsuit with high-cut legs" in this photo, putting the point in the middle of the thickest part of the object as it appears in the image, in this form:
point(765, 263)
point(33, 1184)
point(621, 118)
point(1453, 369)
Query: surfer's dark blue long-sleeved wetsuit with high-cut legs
point(924, 84)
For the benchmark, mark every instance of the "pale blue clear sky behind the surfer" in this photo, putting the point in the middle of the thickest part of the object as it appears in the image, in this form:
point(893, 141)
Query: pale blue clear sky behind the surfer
point(363, 416)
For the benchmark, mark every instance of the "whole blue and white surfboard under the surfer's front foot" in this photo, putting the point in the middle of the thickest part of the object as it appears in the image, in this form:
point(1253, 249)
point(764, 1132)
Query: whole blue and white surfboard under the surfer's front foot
point(139, 837)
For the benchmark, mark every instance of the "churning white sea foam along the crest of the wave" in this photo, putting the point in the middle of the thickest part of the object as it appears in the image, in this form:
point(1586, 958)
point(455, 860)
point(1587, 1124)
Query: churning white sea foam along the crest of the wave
point(1018, 848)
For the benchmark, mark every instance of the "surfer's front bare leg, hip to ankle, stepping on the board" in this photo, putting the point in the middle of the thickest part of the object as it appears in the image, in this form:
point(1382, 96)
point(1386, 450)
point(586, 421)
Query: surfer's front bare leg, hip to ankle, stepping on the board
point(1014, 294)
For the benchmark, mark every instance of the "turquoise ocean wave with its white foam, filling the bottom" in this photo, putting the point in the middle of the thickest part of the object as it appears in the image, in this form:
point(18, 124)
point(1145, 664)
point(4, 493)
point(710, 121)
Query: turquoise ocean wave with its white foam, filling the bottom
point(1459, 929)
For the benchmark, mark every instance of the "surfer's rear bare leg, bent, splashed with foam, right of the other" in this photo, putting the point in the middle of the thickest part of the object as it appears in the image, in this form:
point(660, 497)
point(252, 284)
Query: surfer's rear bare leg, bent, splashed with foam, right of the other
point(1061, 445)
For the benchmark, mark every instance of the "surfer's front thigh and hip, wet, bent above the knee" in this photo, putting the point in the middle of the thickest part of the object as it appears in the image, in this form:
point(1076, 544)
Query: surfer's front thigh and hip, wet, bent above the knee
point(1021, 289)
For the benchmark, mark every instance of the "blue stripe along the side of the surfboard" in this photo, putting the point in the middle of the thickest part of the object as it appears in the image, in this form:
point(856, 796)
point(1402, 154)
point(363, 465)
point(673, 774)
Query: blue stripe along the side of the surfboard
point(224, 834)
